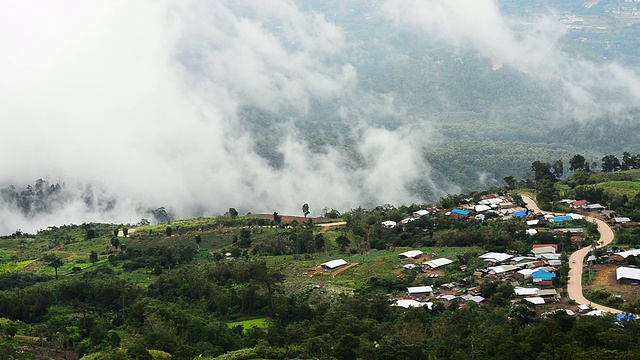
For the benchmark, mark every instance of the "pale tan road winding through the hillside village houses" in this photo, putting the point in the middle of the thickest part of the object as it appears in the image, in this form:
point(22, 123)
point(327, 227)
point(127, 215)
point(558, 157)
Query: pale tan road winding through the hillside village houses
point(576, 260)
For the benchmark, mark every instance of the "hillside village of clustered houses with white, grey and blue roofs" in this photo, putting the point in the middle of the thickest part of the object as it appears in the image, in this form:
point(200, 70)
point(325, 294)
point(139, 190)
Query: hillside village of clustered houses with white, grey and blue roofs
point(532, 276)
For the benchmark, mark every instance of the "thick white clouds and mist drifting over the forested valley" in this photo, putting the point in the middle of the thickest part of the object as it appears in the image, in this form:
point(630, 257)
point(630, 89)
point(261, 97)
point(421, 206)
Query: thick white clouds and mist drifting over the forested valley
point(143, 100)
